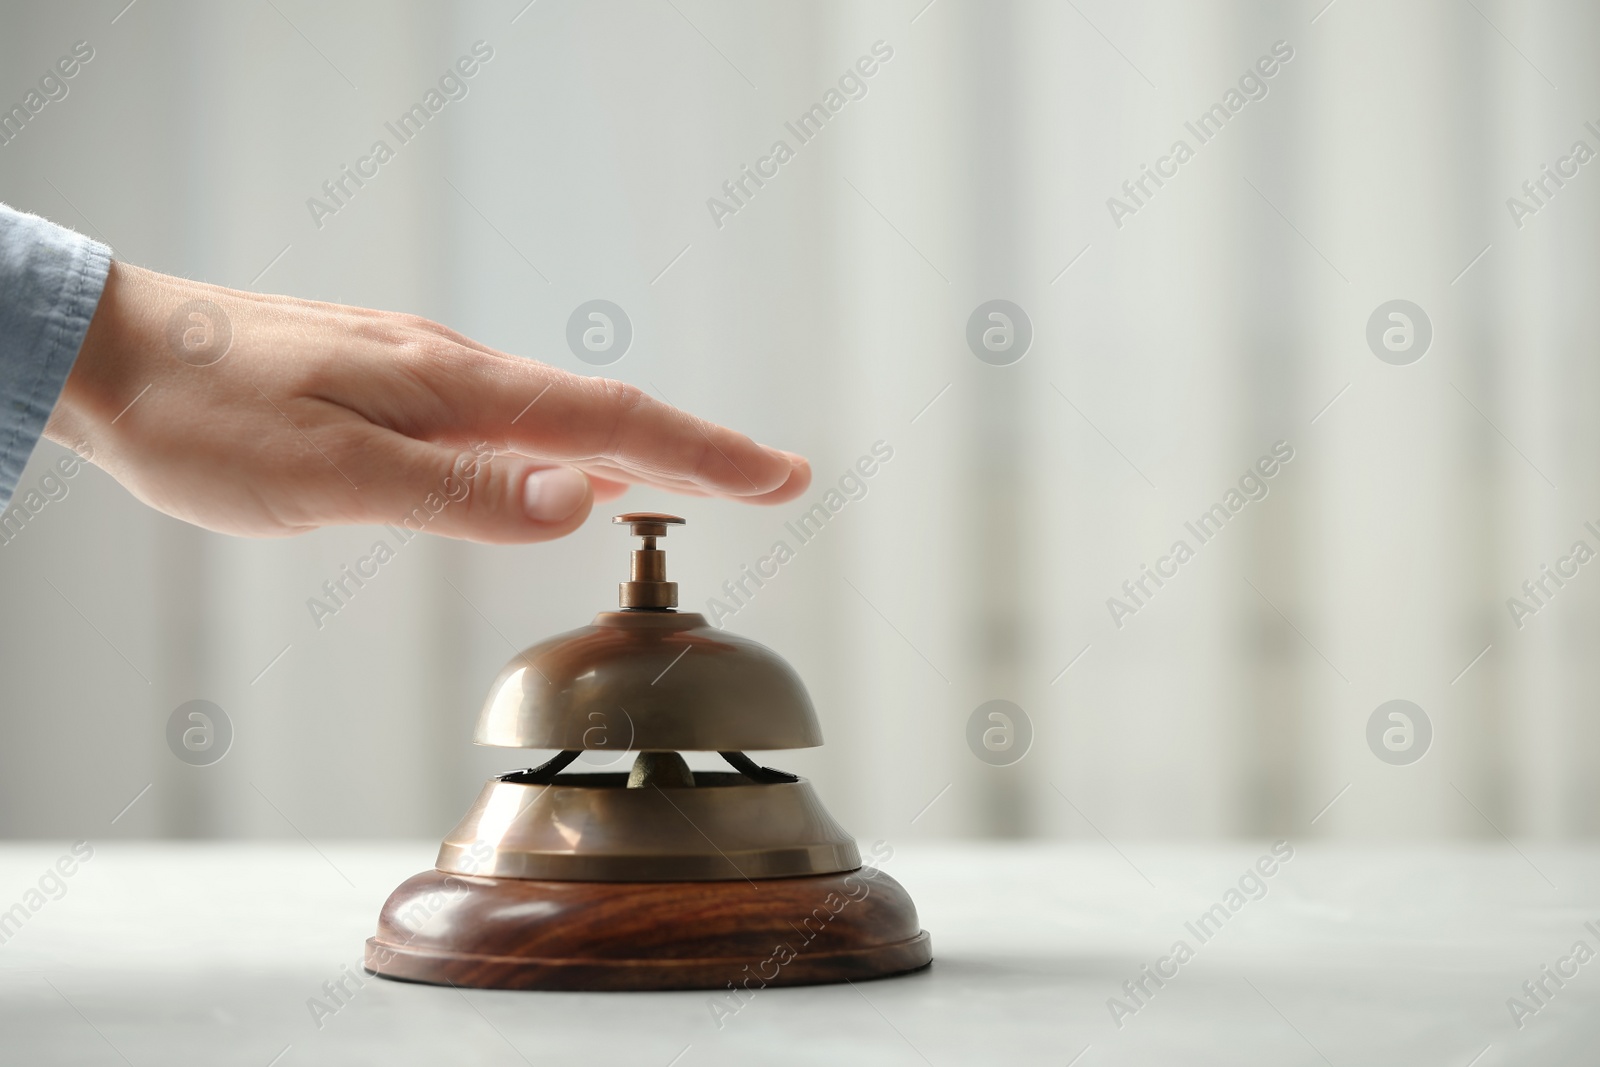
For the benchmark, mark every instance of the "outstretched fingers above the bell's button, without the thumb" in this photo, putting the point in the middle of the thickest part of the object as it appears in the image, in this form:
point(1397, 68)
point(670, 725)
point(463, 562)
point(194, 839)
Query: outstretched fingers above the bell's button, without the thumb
point(566, 418)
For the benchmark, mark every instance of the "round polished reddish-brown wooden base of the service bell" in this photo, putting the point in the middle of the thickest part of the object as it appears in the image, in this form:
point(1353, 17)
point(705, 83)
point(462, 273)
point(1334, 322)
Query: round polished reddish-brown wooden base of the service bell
point(524, 933)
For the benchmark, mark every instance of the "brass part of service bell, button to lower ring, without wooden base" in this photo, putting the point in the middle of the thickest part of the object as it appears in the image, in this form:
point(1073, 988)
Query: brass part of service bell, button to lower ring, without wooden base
point(658, 682)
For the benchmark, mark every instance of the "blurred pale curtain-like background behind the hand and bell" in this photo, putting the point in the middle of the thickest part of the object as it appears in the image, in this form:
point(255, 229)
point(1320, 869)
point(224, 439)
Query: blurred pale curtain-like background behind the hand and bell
point(1226, 314)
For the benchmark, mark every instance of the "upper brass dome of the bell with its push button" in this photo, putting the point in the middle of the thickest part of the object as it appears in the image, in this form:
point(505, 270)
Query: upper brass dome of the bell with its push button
point(649, 679)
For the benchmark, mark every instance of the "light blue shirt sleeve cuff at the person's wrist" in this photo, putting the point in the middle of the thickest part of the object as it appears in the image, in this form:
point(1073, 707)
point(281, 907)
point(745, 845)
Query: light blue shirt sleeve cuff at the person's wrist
point(50, 286)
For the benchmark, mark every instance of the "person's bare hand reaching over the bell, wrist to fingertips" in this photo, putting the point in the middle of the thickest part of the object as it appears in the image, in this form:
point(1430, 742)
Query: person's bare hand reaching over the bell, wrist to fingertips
point(278, 417)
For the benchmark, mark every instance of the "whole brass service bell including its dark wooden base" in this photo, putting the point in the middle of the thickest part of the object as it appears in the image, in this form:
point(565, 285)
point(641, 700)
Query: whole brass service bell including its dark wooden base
point(660, 877)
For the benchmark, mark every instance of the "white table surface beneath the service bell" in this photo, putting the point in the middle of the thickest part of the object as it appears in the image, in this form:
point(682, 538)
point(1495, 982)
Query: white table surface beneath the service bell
point(1401, 954)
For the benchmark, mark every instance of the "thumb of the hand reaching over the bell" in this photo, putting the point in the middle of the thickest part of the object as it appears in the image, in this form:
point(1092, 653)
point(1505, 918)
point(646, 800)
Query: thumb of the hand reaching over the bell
point(470, 495)
